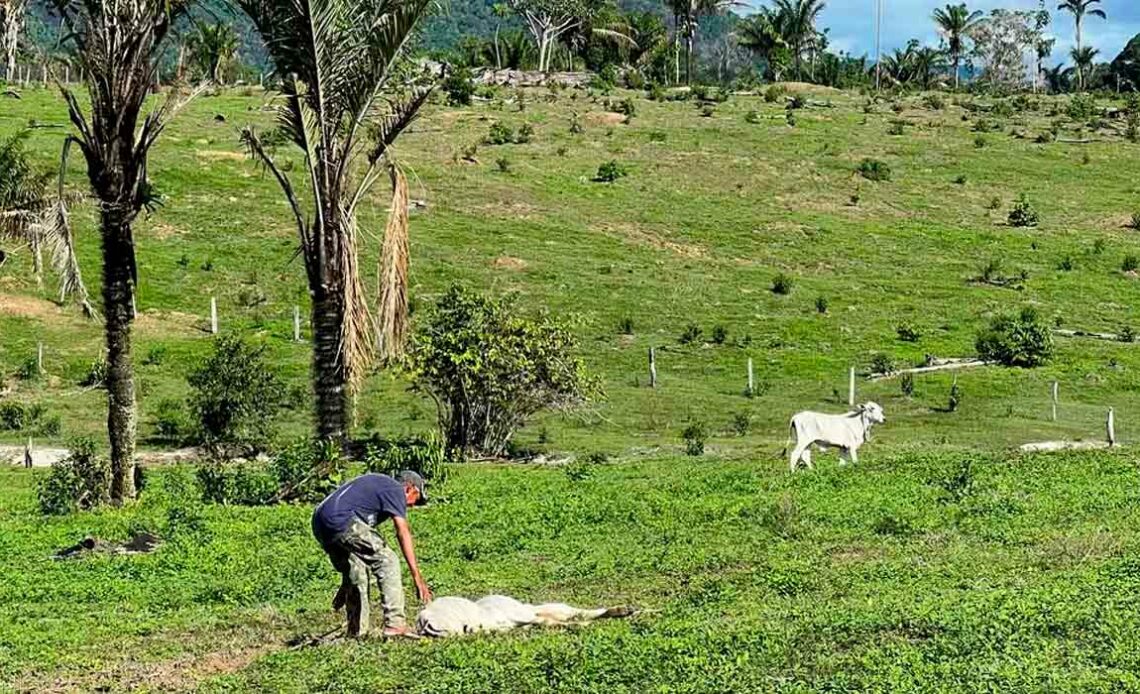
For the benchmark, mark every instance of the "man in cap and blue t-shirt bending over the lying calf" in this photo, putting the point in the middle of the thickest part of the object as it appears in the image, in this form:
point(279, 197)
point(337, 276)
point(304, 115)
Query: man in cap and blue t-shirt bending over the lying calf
point(345, 525)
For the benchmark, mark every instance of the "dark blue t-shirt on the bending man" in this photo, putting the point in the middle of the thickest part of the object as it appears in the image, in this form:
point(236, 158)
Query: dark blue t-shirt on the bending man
point(373, 499)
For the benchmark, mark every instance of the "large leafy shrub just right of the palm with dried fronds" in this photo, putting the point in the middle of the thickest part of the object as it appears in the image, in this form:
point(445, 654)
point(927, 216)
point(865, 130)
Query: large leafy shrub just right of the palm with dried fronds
point(490, 370)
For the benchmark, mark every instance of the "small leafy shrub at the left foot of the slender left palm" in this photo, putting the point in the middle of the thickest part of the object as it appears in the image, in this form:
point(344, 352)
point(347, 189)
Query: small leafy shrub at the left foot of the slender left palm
point(79, 483)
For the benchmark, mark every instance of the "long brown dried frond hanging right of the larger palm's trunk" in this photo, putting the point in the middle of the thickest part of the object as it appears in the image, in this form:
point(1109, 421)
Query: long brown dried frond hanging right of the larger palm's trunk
point(393, 314)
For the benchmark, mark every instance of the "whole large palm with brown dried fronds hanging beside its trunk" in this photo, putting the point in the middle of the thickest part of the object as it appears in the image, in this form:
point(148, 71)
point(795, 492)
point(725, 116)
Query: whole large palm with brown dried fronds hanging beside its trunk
point(344, 111)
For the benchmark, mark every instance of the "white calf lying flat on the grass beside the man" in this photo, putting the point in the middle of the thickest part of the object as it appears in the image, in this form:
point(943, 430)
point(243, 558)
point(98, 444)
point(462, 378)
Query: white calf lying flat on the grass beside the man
point(457, 616)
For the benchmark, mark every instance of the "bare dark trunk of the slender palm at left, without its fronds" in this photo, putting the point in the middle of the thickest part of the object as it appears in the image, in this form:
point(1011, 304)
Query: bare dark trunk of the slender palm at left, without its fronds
point(118, 306)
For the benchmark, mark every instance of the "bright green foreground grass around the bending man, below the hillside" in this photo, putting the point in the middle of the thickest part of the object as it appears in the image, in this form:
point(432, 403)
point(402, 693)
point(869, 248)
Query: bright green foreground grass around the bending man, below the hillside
point(952, 571)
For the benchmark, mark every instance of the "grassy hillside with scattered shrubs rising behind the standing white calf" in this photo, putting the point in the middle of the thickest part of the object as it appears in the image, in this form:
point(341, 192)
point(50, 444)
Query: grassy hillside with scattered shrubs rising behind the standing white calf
point(712, 211)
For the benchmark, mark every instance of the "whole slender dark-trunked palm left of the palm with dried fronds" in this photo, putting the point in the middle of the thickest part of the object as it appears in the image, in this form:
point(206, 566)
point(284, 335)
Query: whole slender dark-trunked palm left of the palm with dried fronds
point(118, 45)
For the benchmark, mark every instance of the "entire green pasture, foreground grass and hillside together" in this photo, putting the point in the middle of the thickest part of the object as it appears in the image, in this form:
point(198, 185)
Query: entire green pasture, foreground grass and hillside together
point(941, 562)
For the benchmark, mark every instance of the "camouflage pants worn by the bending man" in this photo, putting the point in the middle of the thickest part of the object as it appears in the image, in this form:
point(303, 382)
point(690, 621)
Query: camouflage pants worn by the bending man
point(356, 553)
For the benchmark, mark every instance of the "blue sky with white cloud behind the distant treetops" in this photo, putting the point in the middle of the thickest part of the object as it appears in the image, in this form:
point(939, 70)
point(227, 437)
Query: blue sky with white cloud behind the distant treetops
point(852, 23)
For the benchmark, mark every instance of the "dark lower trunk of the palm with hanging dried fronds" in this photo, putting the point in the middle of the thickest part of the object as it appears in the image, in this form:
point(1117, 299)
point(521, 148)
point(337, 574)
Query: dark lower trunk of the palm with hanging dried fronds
point(330, 373)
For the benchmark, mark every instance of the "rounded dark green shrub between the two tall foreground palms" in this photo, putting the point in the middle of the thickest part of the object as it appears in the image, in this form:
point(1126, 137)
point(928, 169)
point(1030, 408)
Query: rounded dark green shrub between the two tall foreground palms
point(235, 397)
